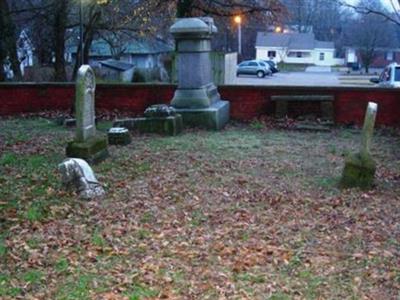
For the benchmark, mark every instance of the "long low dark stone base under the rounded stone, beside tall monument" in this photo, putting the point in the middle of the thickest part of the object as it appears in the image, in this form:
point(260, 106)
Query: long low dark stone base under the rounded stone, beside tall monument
point(171, 125)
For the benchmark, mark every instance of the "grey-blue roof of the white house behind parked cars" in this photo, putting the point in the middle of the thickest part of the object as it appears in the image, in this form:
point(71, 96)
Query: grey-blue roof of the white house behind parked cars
point(298, 41)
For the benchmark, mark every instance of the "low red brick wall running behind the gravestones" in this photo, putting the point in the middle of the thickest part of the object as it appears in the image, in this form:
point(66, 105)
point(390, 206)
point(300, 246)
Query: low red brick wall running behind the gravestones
point(247, 102)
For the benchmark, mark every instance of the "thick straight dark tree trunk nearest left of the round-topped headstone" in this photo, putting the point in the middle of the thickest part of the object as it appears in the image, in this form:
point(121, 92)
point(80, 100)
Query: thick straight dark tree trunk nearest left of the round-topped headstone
point(60, 23)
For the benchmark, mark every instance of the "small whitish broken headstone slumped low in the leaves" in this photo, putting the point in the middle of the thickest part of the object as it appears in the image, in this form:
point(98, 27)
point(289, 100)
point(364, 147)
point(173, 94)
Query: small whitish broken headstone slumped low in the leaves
point(77, 174)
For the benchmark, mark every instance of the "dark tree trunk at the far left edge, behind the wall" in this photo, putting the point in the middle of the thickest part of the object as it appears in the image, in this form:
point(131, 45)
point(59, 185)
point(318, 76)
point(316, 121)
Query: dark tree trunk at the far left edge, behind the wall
point(8, 40)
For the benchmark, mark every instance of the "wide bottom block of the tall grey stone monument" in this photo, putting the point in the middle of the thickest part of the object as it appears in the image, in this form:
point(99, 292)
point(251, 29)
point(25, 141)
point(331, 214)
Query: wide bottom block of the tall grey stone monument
point(214, 117)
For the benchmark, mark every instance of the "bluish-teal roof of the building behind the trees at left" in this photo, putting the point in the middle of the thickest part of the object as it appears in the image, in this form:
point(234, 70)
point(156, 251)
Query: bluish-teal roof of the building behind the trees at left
point(138, 46)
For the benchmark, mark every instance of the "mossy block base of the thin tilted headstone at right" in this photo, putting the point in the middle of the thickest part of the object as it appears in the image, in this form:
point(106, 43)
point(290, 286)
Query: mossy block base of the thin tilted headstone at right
point(359, 171)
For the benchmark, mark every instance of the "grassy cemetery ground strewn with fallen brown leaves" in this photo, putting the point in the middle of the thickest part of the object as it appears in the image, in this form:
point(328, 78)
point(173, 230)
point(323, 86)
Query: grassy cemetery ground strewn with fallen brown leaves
point(246, 213)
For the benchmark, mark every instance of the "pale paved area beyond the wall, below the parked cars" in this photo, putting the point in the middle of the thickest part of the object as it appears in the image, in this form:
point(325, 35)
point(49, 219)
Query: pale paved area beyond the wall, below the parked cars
point(293, 78)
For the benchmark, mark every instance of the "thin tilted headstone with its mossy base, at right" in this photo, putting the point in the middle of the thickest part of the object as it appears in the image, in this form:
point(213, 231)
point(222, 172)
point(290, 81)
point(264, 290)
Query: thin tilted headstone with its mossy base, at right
point(359, 170)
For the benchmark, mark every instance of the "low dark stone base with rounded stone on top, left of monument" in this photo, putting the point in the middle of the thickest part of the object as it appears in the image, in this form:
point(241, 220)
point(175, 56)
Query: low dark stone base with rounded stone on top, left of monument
point(161, 119)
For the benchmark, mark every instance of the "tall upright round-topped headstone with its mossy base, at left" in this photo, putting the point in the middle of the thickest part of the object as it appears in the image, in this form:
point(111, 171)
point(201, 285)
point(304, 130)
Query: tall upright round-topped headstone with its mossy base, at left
point(87, 144)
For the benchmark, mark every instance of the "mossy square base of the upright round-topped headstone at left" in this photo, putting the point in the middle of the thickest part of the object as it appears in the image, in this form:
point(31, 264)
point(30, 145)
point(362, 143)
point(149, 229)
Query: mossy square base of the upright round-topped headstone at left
point(94, 150)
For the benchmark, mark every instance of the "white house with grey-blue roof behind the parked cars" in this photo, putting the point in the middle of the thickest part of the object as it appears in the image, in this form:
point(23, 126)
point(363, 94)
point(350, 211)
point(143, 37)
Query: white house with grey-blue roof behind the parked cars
point(296, 48)
